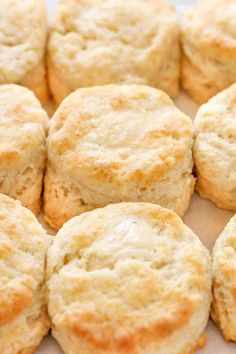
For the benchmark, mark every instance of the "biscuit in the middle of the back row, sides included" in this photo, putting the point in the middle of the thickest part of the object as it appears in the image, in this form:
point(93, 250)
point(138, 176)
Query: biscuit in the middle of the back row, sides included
point(99, 42)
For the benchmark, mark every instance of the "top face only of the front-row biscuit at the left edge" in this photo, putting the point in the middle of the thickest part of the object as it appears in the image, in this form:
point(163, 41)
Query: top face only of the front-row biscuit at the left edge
point(23, 245)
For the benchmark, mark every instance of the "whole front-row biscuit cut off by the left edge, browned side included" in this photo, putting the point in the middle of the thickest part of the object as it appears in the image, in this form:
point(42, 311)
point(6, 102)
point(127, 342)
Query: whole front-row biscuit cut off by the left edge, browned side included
point(23, 247)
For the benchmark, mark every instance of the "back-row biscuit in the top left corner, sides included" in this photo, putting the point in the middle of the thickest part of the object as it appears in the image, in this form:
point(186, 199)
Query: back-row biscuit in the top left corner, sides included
point(23, 31)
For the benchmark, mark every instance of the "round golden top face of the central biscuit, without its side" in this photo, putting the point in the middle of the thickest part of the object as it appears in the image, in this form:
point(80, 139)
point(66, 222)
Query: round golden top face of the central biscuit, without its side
point(118, 133)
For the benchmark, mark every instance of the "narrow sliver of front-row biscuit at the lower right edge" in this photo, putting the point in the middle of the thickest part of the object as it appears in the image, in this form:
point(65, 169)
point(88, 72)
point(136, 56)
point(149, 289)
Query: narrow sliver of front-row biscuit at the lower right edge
point(224, 285)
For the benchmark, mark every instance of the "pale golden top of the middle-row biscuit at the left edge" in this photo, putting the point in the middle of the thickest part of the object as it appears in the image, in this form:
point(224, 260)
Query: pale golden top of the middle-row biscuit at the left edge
point(23, 124)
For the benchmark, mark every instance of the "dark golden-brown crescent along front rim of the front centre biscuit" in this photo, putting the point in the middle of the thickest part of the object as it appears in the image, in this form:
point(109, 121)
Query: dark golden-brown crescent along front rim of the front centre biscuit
point(79, 324)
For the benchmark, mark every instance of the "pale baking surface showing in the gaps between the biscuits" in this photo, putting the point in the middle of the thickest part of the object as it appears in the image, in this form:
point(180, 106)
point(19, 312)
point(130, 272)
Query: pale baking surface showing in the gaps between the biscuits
point(205, 219)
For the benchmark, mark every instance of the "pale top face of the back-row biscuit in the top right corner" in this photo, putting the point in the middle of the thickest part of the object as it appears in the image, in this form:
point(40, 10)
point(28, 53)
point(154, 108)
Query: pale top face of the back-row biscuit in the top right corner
point(212, 23)
